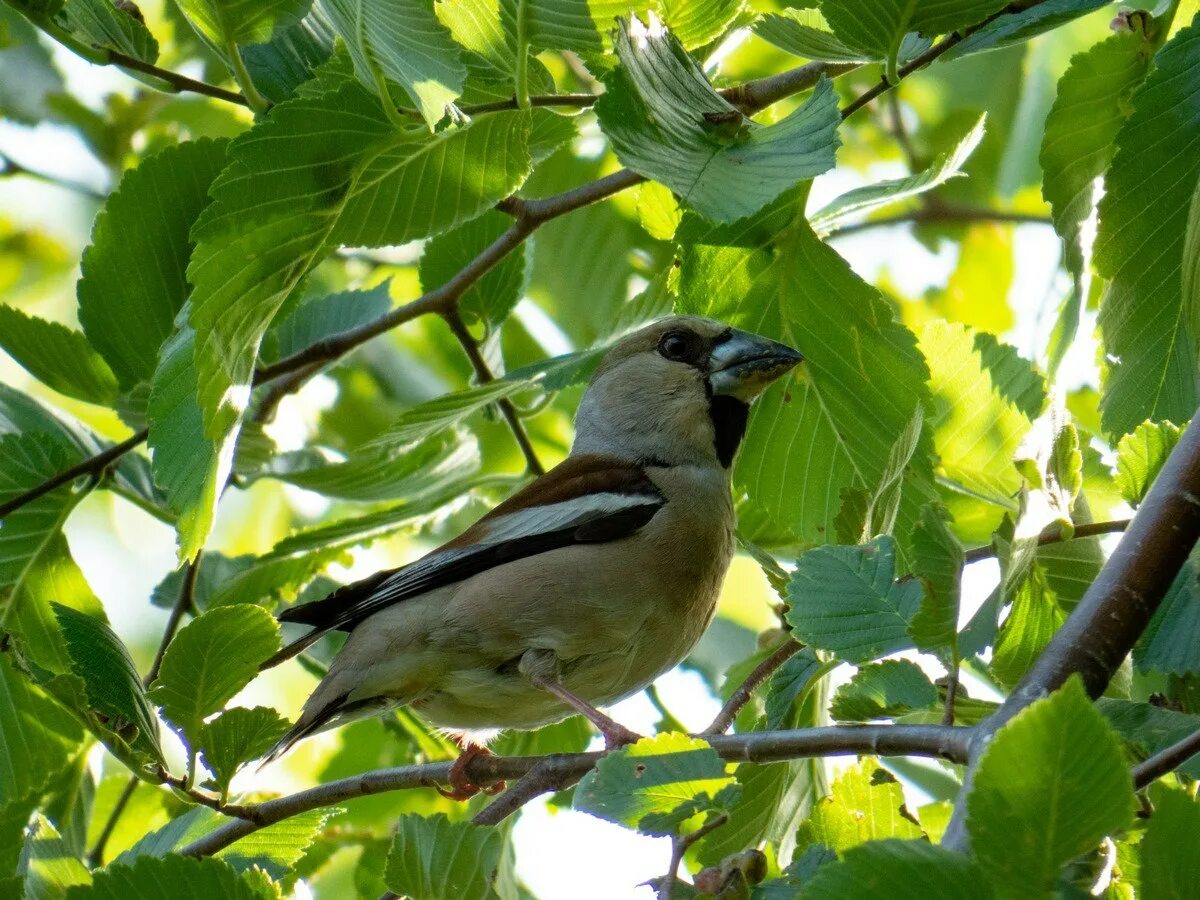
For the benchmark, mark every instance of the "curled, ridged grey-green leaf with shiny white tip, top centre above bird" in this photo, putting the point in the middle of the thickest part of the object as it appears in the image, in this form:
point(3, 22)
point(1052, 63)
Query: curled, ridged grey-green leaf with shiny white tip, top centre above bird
point(665, 122)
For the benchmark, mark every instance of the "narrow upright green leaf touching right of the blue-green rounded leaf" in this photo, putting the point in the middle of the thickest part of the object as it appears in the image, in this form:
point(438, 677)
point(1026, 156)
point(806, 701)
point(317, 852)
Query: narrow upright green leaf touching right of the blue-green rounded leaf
point(938, 562)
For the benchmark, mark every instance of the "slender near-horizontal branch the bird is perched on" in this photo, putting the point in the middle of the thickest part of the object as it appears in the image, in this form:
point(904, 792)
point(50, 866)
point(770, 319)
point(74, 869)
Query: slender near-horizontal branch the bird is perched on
point(932, 741)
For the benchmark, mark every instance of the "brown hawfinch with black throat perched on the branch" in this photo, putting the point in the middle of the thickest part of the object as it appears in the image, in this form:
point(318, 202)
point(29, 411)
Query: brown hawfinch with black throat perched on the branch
point(583, 587)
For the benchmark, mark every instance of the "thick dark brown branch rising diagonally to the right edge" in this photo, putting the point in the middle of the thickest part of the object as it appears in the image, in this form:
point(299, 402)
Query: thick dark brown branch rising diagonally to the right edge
point(1108, 621)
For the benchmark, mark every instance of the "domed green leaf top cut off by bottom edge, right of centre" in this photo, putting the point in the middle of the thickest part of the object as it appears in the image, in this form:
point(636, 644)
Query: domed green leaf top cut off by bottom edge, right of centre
point(904, 871)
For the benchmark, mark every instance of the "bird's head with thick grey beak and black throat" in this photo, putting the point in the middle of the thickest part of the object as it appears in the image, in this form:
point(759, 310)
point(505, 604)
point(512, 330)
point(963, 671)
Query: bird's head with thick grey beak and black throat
point(679, 392)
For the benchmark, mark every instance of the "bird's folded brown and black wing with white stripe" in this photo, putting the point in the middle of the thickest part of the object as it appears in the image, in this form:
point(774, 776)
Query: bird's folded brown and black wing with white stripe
point(586, 500)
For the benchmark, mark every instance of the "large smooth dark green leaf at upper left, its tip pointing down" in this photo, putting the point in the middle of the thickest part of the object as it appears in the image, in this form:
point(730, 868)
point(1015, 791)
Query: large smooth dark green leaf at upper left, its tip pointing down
point(133, 281)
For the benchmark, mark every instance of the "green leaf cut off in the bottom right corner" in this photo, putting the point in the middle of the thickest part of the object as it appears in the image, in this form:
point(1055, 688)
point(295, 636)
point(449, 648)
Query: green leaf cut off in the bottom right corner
point(1168, 866)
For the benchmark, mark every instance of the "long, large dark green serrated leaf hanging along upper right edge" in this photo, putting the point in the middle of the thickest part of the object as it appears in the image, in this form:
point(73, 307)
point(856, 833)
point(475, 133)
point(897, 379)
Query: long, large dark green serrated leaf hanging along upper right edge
point(1148, 340)
